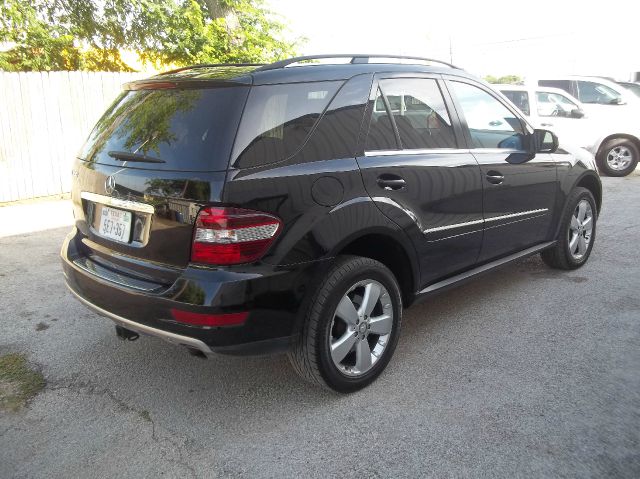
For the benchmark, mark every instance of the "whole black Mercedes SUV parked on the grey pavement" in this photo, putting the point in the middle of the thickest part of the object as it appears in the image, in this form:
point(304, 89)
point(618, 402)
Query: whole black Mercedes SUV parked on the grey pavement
point(301, 205)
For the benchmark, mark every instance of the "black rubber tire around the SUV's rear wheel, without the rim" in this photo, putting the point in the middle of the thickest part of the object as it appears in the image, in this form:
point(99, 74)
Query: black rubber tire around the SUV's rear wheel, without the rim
point(311, 355)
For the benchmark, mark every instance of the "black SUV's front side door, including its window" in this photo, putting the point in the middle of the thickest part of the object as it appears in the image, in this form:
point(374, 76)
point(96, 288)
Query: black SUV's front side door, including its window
point(519, 187)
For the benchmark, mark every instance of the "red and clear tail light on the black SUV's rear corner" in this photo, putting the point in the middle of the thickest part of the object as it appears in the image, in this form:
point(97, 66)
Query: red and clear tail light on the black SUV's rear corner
point(225, 236)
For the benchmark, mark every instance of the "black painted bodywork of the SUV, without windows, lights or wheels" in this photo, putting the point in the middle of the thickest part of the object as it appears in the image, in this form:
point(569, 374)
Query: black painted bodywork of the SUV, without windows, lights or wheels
point(325, 207)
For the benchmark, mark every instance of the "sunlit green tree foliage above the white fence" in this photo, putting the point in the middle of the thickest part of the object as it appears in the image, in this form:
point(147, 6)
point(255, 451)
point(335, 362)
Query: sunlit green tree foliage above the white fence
point(90, 35)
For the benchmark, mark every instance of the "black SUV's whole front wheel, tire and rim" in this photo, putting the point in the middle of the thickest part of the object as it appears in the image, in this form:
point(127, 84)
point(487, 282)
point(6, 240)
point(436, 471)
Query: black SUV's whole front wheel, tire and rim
point(577, 232)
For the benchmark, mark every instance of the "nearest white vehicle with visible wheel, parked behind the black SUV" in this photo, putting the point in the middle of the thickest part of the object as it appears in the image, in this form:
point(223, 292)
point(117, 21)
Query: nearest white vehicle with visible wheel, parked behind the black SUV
point(613, 140)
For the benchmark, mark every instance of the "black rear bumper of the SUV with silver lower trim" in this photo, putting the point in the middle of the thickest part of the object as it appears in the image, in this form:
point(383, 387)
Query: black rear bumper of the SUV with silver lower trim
point(272, 296)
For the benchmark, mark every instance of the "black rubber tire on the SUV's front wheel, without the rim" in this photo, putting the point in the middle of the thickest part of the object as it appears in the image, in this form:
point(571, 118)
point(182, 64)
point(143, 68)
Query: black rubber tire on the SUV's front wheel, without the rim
point(560, 256)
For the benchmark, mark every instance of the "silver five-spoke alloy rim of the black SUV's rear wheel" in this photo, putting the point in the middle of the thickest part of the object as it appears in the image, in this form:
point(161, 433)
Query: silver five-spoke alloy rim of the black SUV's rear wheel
point(361, 328)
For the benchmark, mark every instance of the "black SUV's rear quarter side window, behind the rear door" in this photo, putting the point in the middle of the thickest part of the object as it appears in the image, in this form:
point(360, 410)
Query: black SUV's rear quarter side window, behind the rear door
point(278, 119)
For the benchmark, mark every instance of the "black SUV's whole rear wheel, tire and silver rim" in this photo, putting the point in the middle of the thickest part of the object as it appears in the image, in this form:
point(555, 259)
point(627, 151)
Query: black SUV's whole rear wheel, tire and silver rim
point(352, 326)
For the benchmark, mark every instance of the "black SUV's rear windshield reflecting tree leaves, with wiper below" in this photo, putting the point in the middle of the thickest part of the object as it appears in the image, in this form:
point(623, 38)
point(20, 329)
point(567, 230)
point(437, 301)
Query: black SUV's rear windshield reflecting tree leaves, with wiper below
point(172, 129)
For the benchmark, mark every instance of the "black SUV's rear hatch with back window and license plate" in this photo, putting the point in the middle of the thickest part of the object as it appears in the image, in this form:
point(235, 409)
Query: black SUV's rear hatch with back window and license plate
point(157, 155)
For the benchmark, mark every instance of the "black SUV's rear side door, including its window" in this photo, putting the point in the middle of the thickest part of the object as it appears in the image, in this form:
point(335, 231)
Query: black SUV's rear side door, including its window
point(416, 172)
